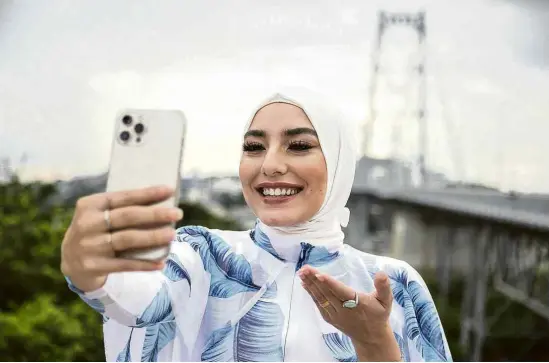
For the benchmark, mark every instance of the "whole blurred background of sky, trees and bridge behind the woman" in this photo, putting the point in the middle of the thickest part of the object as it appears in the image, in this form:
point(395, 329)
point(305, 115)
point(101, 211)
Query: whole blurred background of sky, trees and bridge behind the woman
point(449, 101)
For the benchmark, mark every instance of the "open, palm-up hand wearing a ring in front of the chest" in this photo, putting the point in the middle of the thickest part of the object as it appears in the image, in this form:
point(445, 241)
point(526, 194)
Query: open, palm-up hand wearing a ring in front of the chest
point(367, 325)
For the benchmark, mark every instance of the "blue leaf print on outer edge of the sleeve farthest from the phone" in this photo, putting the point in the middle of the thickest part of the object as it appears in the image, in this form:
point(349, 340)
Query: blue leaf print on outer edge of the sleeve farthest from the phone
point(422, 321)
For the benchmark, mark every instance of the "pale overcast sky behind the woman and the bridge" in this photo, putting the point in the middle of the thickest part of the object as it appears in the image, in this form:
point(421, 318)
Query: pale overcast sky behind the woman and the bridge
point(67, 67)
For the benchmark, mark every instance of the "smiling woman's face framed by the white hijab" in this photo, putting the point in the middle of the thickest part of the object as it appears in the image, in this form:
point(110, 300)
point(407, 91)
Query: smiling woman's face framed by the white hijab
point(282, 169)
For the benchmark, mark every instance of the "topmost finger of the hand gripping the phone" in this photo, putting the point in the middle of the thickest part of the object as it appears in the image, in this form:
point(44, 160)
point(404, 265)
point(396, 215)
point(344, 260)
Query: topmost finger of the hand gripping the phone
point(145, 196)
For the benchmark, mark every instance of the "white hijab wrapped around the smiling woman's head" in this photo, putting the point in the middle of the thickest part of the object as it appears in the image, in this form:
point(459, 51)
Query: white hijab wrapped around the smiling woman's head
point(339, 147)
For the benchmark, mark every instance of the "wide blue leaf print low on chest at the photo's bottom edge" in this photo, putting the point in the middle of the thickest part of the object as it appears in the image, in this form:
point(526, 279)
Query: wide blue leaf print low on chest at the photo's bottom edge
point(256, 337)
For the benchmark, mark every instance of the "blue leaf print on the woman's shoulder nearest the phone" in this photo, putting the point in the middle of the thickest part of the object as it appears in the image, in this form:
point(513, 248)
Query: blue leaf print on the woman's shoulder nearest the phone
point(230, 273)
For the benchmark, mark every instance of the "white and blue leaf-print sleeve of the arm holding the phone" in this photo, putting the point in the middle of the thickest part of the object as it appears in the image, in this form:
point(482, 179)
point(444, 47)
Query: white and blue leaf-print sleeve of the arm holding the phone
point(143, 312)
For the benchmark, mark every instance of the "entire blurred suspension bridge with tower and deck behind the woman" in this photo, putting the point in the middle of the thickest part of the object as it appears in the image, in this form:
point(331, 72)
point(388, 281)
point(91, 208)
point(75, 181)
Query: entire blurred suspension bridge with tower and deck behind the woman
point(492, 239)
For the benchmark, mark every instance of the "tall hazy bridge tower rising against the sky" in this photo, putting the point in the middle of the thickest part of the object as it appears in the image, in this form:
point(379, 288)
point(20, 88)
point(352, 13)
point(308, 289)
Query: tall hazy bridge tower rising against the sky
point(405, 82)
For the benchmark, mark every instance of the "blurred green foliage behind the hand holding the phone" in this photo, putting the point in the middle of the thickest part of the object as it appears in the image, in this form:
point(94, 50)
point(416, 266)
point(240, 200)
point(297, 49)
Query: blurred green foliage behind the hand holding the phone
point(40, 318)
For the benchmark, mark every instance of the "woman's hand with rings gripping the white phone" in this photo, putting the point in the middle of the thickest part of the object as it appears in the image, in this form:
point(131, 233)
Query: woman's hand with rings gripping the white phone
point(90, 245)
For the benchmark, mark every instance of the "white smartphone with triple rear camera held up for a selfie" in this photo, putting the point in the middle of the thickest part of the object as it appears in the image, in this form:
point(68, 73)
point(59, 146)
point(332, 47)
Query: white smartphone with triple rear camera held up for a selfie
point(147, 150)
